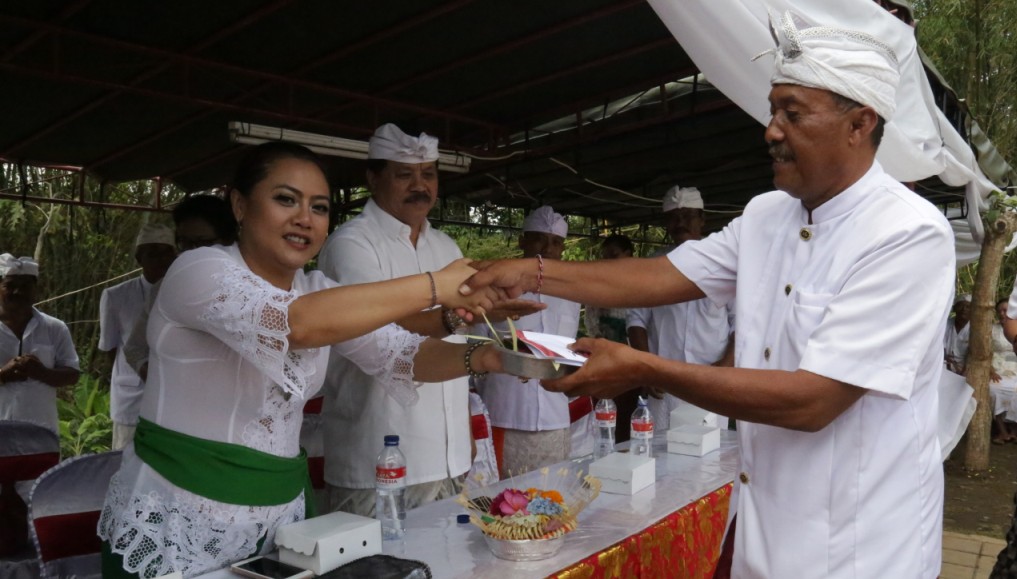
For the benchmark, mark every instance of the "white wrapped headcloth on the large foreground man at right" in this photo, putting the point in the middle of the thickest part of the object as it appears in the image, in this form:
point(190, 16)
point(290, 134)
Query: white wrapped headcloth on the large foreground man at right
point(850, 64)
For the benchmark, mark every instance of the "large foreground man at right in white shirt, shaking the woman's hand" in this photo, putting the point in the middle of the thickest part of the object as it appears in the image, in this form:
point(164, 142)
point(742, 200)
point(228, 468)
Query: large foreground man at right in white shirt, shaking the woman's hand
point(843, 281)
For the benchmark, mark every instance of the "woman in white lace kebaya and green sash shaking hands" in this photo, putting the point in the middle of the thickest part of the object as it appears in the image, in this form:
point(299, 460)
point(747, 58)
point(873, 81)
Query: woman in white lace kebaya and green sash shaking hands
point(240, 340)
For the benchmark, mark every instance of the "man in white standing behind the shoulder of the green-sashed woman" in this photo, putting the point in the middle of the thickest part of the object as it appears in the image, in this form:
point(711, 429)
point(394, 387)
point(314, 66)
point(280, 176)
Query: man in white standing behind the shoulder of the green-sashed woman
point(119, 309)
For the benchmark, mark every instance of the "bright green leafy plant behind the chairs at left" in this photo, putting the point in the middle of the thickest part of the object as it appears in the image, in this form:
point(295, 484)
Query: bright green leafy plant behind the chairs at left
point(85, 419)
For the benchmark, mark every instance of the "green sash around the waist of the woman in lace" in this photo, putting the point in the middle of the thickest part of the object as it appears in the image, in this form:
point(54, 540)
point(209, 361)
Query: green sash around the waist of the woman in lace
point(224, 473)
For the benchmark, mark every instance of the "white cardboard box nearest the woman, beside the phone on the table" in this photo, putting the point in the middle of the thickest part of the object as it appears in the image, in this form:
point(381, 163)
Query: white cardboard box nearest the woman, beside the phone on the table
point(325, 543)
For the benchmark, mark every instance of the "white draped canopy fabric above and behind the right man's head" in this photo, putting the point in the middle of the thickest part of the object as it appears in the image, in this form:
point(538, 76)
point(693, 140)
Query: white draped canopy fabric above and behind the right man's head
point(724, 36)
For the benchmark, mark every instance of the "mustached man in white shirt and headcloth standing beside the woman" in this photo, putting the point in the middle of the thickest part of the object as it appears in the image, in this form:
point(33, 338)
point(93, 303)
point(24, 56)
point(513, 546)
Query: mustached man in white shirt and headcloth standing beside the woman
point(390, 240)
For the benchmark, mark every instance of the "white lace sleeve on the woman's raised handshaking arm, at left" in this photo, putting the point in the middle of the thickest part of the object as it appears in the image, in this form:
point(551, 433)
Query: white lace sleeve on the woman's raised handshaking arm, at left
point(213, 294)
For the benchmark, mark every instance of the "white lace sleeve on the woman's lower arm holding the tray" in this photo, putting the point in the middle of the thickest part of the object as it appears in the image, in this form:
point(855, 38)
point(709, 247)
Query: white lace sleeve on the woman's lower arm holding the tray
point(388, 355)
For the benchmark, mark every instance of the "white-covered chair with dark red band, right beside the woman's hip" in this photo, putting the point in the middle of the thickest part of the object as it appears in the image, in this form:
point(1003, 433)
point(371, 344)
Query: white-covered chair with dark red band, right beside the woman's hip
point(64, 514)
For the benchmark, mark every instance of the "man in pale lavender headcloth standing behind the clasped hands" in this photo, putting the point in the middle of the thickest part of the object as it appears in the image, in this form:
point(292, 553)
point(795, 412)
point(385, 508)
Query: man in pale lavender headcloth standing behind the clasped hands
point(531, 426)
